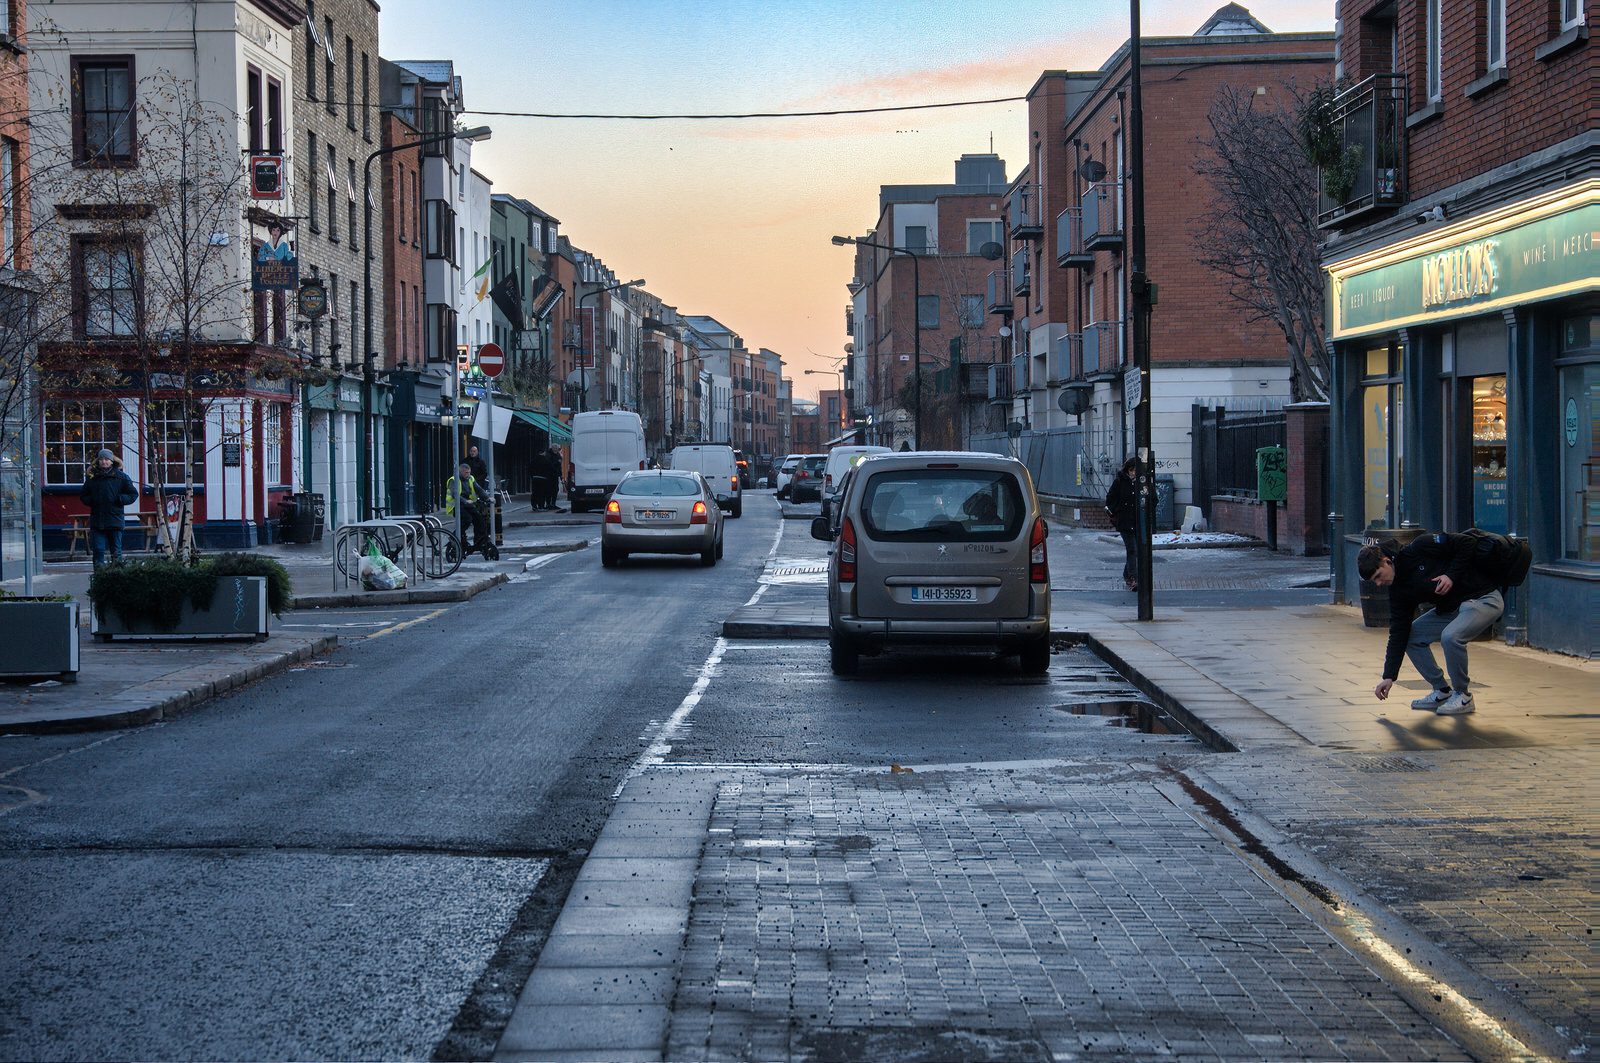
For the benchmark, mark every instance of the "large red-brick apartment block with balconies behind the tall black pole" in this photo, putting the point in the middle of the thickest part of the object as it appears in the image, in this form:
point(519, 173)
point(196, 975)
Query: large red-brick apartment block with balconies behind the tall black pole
point(1065, 283)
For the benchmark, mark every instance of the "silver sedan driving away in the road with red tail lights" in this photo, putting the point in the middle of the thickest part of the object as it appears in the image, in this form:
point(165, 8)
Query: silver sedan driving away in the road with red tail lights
point(662, 511)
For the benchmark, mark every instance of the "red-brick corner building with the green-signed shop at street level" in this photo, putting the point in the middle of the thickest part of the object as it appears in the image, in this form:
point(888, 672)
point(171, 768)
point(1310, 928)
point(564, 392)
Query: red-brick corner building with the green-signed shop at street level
point(1463, 292)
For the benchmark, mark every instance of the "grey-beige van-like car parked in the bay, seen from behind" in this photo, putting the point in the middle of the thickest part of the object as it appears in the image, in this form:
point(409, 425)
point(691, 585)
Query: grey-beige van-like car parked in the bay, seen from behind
point(938, 550)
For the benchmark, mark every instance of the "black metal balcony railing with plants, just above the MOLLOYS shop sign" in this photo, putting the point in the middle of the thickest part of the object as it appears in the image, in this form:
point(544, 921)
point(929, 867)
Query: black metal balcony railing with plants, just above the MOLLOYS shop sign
point(1369, 177)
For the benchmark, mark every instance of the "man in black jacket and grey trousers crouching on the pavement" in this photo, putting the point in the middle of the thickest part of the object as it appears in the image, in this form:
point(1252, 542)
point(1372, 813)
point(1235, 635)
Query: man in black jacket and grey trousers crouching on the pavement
point(1438, 569)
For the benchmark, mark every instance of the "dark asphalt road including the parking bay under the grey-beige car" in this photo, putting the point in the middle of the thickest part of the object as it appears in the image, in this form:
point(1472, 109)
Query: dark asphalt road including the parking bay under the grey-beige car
point(362, 859)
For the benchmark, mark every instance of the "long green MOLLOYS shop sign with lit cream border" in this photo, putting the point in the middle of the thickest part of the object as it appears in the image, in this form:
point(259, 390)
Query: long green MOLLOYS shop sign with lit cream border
point(1542, 252)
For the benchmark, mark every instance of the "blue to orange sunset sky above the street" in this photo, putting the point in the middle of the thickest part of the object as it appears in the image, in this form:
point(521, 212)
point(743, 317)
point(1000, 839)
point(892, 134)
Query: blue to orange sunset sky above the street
point(734, 219)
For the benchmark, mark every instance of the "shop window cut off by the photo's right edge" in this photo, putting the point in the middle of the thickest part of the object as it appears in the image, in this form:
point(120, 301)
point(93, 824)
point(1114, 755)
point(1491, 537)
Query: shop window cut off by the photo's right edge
point(1582, 443)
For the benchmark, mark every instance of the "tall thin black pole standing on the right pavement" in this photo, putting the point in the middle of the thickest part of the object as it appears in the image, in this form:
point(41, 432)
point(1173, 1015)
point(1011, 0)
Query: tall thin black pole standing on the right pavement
point(1140, 302)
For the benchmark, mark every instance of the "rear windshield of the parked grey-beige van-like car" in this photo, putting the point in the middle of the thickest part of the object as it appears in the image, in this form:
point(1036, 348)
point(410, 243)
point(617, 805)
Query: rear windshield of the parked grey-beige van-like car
point(943, 505)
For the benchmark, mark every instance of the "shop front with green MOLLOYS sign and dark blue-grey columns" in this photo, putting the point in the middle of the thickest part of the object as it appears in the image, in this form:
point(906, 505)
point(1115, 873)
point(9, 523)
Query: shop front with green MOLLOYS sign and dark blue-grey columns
point(1465, 396)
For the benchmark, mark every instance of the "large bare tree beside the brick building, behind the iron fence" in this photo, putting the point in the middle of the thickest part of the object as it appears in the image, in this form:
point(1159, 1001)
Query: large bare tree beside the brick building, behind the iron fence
point(1263, 236)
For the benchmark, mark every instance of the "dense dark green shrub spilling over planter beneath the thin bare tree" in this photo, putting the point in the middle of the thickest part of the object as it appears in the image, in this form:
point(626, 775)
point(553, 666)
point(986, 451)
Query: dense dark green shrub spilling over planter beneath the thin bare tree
point(153, 593)
